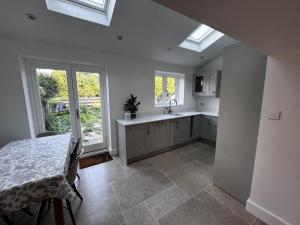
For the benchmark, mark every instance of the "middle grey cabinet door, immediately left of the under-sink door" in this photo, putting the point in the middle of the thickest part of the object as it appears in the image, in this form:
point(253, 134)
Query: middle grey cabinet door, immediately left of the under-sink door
point(159, 135)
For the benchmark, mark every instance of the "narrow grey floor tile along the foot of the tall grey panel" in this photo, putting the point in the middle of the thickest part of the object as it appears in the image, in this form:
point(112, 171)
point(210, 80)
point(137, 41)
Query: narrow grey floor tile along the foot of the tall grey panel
point(231, 202)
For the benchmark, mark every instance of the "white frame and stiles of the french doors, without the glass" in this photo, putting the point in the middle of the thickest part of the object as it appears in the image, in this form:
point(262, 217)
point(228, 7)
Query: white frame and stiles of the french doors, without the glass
point(70, 68)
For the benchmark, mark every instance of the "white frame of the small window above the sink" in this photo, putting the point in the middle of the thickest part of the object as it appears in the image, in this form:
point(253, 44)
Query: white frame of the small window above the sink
point(179, 91)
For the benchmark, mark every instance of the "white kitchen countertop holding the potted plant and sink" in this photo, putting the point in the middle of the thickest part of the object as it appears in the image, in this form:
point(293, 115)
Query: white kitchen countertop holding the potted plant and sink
point(160, 117)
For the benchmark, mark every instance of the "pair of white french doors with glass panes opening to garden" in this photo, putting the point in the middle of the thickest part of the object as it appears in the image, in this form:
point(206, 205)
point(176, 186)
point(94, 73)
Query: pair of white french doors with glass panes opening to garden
point(69, 98)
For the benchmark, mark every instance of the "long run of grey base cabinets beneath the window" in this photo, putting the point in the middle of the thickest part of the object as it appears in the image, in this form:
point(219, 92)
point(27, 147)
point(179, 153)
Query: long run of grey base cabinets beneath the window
point(144, 140)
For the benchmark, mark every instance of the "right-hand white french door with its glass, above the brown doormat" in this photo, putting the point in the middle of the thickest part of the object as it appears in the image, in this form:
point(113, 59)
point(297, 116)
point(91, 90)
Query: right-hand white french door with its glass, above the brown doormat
point(89, 90)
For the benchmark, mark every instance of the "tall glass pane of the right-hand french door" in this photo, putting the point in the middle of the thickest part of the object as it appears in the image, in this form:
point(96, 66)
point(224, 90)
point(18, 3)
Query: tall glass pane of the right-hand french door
point(88, 88)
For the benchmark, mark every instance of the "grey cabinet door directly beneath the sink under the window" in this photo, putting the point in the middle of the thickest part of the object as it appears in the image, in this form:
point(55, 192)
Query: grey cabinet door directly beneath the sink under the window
point(182, 130)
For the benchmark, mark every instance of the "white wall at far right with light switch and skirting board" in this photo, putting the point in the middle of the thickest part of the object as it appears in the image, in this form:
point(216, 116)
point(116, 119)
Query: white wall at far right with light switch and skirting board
point(275, 194)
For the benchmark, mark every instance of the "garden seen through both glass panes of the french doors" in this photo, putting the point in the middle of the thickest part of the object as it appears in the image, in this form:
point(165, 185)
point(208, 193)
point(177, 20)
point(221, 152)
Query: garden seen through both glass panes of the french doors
point(53, 88)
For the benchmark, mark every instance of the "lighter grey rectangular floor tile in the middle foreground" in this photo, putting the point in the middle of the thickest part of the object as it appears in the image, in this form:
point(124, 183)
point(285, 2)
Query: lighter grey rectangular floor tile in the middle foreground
point(165, 201)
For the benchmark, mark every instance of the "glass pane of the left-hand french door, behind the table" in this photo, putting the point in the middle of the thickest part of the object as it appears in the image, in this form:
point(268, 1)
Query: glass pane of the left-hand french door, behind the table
point(54, 97)
